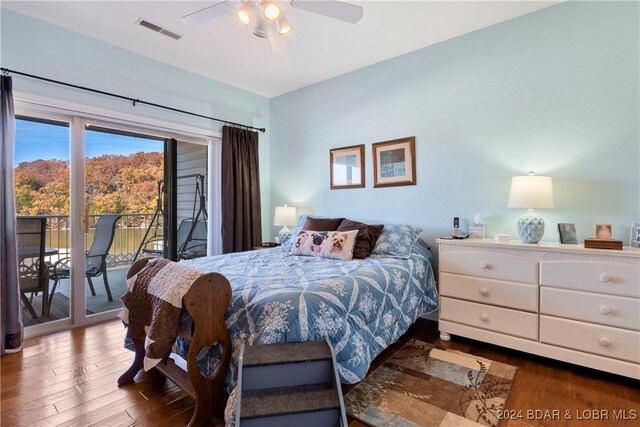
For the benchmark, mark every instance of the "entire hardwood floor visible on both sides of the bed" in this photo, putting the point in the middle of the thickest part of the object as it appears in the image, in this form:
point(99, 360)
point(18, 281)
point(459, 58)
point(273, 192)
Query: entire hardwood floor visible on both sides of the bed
point(69, 379)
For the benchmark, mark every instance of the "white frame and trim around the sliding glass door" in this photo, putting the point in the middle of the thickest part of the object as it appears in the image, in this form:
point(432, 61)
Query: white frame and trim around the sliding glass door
point(80, 115)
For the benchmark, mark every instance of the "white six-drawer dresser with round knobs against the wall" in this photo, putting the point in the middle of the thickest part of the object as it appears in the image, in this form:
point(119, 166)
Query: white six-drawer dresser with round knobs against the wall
point(559, 301)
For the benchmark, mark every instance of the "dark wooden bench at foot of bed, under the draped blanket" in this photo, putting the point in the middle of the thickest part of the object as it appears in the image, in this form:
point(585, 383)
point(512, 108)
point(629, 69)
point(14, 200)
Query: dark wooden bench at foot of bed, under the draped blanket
point(206, 302)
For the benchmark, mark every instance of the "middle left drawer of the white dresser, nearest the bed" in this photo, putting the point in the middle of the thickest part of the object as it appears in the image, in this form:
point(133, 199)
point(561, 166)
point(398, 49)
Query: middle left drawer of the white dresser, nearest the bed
point(488, 291)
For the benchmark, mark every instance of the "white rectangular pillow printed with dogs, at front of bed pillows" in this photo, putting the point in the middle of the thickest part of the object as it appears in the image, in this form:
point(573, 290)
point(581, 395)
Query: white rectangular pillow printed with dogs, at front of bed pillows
point(325, 244)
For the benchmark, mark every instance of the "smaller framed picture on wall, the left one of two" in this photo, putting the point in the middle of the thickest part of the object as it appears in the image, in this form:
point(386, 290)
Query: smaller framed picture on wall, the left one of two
point(346, 166)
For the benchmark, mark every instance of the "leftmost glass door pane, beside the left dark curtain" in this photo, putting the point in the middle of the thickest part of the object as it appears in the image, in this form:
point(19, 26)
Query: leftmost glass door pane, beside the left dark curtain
point(42, 197)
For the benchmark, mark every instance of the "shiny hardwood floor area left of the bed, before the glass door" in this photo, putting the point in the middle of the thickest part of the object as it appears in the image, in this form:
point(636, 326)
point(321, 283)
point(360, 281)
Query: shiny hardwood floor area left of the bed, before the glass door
point(69, 379)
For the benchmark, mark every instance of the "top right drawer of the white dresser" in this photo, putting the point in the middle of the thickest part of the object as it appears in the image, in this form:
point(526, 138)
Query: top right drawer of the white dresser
point(613, 279)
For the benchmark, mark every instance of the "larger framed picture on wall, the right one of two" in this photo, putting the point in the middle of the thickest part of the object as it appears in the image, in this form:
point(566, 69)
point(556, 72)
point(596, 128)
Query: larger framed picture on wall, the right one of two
point(394, 162)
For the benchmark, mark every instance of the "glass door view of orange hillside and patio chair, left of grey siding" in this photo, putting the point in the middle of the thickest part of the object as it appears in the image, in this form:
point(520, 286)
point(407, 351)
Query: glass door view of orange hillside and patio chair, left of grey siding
point(123, 174)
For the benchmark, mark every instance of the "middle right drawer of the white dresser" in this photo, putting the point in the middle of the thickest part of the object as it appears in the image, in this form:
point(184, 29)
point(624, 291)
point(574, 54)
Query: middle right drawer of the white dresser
point(603, 309)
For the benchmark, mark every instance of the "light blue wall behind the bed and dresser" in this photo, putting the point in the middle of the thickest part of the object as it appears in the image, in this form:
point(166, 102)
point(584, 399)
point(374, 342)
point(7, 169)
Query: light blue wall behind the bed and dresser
point(555, 91)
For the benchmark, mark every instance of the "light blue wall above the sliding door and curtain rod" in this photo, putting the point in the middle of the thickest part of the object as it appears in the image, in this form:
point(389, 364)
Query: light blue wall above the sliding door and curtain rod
point(36, 47)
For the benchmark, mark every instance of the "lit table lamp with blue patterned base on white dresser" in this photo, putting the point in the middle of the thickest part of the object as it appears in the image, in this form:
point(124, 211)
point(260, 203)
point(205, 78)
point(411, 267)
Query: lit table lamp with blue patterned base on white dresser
point(531, 192)
